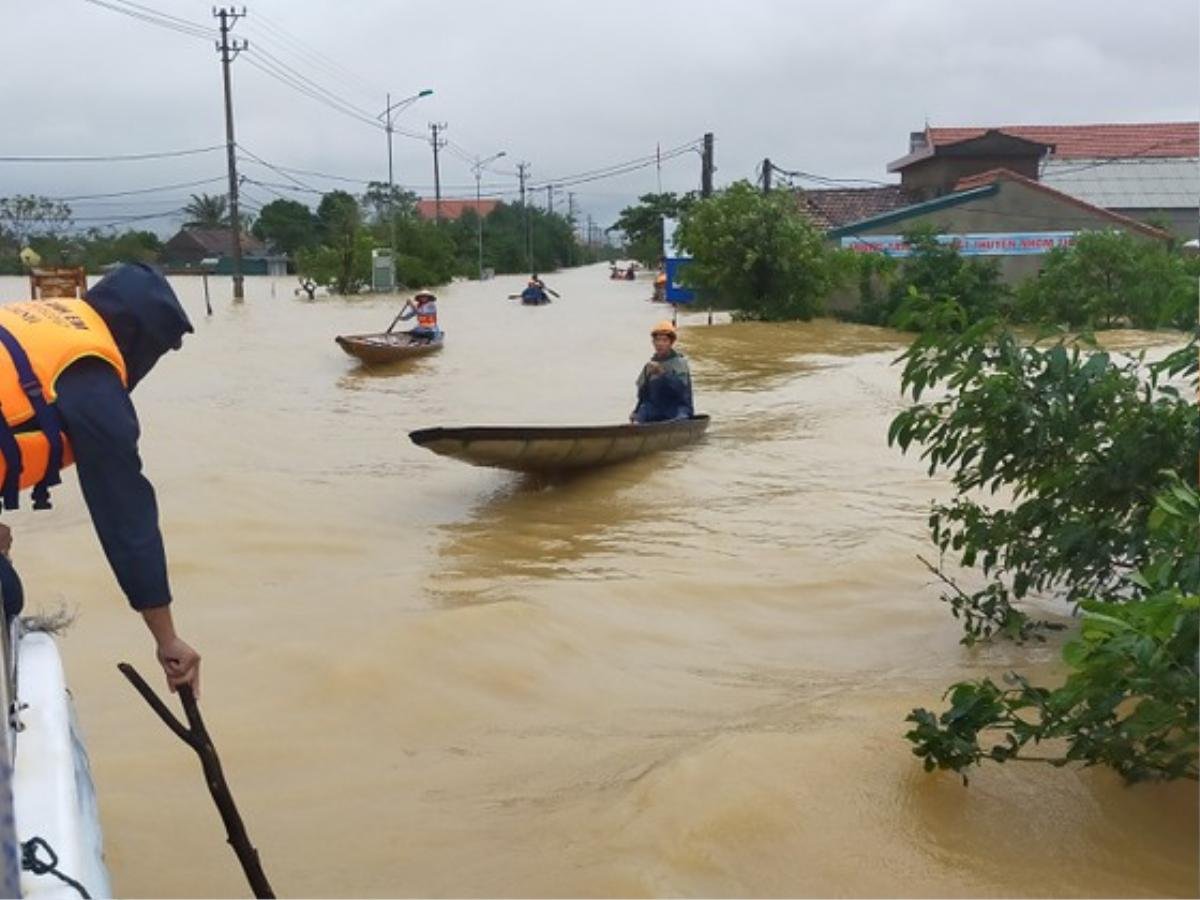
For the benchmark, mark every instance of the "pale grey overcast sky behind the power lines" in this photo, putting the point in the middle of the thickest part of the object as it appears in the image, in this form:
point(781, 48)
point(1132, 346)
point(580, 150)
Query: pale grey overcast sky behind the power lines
point(823, 87)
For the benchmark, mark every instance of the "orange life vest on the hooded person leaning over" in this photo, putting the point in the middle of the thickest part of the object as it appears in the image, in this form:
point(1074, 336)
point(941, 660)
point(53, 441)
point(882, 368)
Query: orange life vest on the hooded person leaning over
point(39, 341)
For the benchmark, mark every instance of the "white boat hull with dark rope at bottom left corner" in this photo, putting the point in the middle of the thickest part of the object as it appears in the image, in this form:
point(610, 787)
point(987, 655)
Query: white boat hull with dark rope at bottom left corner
point(45, 776)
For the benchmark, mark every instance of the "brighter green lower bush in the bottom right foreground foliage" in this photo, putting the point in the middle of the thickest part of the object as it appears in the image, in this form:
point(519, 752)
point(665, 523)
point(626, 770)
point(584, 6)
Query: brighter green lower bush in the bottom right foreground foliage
point(1130, 701)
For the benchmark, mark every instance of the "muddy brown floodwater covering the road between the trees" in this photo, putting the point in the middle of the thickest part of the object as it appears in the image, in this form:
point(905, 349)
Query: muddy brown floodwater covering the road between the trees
point(683, 676)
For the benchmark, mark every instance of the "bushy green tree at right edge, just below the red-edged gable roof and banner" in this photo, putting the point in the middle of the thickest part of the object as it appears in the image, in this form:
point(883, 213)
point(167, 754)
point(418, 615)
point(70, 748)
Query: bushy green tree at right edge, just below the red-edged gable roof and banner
point(1112, 279)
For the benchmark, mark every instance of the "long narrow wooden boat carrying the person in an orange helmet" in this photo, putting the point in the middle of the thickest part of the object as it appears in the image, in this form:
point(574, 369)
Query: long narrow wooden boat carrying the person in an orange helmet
point(559, 449)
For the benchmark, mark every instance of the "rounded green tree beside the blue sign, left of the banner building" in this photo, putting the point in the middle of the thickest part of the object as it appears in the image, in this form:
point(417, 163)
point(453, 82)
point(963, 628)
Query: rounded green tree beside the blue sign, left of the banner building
point(759, 254)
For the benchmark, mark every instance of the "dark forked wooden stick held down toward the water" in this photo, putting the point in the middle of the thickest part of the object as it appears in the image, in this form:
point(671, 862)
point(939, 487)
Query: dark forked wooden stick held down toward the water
point(197, 737)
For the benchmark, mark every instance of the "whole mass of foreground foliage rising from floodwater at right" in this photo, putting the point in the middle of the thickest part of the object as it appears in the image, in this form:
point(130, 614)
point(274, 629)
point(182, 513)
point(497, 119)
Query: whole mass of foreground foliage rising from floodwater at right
point(1099, 458)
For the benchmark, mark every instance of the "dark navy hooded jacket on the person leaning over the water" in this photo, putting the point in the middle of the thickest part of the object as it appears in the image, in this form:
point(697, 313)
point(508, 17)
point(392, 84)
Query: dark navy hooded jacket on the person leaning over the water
point(147, 321)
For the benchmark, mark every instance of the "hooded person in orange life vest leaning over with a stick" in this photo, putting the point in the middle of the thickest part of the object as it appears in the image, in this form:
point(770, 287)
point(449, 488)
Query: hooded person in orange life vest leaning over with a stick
point(67, 371)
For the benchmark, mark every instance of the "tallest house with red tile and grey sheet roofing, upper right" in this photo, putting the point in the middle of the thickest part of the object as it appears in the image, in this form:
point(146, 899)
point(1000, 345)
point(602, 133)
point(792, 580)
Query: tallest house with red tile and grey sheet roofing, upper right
point(1142, 171)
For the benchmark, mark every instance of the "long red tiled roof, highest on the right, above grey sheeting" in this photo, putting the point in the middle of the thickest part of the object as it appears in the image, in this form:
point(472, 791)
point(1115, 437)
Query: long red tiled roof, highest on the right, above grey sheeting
point(1093, 142)
